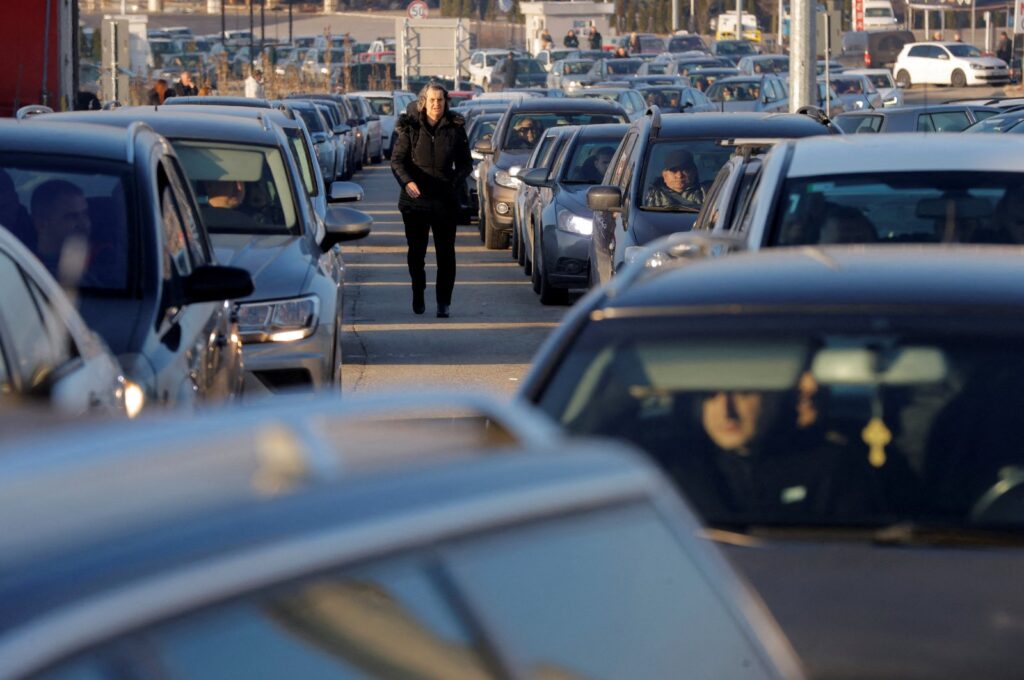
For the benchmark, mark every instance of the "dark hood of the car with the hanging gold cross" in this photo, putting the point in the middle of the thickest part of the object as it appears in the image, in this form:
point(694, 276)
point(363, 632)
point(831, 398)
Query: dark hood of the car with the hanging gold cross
point(861, 610)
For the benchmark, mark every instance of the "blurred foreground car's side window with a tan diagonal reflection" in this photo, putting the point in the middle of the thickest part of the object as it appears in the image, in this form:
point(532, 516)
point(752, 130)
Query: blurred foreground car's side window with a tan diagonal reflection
point(383, 620)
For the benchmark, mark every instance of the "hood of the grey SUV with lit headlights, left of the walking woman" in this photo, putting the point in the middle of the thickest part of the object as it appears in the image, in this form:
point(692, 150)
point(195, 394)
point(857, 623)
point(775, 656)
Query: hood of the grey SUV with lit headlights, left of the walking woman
point(280, 266)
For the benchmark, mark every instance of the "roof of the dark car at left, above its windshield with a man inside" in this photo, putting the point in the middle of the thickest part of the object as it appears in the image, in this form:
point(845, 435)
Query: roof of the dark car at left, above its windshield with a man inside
point(50, 137)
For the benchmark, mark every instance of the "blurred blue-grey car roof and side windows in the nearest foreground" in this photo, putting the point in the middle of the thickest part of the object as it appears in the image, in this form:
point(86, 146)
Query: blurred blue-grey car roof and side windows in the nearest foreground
point(268, 544)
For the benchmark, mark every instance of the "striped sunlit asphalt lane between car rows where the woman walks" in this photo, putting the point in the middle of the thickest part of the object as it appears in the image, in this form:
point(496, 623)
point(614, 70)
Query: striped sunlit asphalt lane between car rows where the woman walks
point(497, 321)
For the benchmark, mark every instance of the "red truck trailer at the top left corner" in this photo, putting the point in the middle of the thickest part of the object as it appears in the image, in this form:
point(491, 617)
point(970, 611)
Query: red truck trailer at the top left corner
point(38, 57)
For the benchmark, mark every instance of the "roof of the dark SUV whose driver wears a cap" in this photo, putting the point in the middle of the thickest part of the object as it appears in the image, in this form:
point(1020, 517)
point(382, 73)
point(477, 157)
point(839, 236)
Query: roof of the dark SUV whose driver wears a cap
point(739, 124)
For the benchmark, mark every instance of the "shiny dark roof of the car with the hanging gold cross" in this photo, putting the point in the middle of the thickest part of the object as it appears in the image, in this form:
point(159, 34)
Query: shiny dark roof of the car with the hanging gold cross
point(909, 278)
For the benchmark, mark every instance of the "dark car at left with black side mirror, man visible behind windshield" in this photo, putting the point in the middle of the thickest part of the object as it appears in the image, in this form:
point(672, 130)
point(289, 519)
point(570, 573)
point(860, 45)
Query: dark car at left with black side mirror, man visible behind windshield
point(132, 242)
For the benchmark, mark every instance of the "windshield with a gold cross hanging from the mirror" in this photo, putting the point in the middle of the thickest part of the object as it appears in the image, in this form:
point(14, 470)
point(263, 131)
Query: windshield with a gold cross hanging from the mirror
point(813, 422)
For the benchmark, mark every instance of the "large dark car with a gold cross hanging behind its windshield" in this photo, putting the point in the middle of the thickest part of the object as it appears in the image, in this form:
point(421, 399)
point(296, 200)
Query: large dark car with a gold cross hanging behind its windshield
point(846, 422)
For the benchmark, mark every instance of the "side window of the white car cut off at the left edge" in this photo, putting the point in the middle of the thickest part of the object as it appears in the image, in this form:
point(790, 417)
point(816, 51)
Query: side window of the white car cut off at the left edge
point(32, 344)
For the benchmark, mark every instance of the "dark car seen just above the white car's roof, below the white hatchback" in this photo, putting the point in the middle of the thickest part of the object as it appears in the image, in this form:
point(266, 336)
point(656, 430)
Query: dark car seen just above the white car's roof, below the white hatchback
point(934, 118)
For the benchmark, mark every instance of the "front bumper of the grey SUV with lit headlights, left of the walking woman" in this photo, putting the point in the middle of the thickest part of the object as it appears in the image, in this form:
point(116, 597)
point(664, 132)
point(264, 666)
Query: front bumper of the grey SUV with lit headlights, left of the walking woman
point(302, 365)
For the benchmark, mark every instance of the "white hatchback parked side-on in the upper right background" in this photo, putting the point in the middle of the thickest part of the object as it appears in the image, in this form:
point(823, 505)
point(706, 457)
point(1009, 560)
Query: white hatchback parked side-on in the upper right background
point(948, 64)
